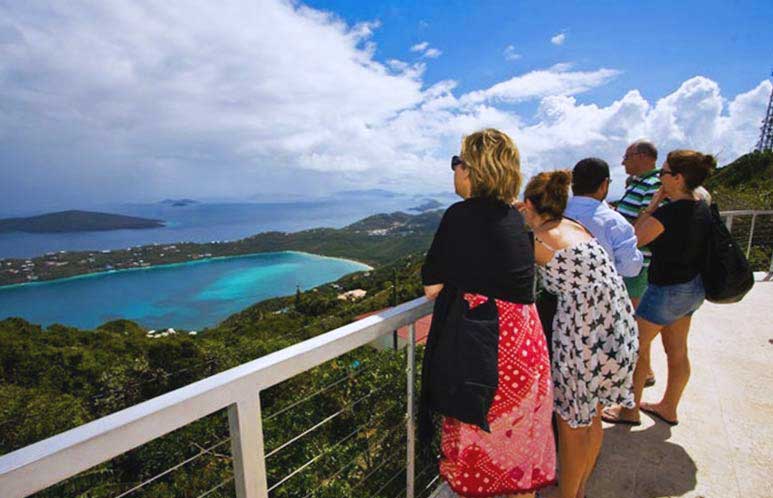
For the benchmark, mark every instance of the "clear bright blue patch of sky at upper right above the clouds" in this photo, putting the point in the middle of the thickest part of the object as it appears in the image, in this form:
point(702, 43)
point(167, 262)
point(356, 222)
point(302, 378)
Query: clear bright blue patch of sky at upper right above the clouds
point(656, 44)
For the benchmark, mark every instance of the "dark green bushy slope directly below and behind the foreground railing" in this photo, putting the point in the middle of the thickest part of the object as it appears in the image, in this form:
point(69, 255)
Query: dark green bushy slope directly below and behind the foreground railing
point(60, 377)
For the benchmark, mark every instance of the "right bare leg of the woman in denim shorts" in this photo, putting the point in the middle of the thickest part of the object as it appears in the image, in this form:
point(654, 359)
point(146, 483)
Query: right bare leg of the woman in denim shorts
point(675, 343)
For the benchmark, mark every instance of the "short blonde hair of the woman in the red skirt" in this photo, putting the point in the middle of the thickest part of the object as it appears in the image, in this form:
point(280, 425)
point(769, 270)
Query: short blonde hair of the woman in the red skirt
point(494, 164)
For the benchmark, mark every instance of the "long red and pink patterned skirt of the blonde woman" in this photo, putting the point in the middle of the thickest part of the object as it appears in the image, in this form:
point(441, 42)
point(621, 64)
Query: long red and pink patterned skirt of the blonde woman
point(518, 455)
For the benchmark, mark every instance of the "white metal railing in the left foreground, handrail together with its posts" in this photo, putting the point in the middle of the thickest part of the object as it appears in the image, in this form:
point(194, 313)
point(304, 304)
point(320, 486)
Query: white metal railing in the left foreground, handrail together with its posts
point(42, 464)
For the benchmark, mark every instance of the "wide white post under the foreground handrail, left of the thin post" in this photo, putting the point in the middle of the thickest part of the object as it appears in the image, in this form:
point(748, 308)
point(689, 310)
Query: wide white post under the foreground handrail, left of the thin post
point(246, 426)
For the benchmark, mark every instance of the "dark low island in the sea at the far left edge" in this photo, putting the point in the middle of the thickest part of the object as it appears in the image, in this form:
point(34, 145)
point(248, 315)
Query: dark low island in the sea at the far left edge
point(75, 221)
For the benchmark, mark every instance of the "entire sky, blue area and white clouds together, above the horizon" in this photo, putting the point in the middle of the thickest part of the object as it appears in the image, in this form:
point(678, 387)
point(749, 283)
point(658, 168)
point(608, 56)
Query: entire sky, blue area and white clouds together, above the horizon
point(126, 101)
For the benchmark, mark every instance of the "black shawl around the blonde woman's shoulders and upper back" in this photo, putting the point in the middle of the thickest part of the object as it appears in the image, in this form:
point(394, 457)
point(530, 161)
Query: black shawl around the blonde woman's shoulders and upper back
point(482, 246)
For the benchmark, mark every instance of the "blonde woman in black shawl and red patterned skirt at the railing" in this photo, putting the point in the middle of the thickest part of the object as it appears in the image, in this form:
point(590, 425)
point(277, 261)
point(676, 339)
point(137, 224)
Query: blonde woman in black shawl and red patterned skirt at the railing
point(483, 251)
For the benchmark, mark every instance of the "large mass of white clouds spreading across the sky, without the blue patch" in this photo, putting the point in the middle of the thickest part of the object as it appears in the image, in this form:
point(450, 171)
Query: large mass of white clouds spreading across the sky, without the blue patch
point(141, 100)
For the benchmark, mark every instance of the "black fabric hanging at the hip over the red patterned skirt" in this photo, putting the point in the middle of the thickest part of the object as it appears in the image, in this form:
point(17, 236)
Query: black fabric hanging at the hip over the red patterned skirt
point(461, 361)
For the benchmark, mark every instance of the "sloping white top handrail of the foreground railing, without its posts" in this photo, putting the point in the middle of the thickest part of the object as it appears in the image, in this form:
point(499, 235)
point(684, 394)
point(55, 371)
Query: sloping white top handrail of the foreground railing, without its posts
point(42, 464)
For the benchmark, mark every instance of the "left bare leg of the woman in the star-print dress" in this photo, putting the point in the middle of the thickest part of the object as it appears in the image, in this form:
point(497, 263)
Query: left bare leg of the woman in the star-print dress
point(573, 453)
